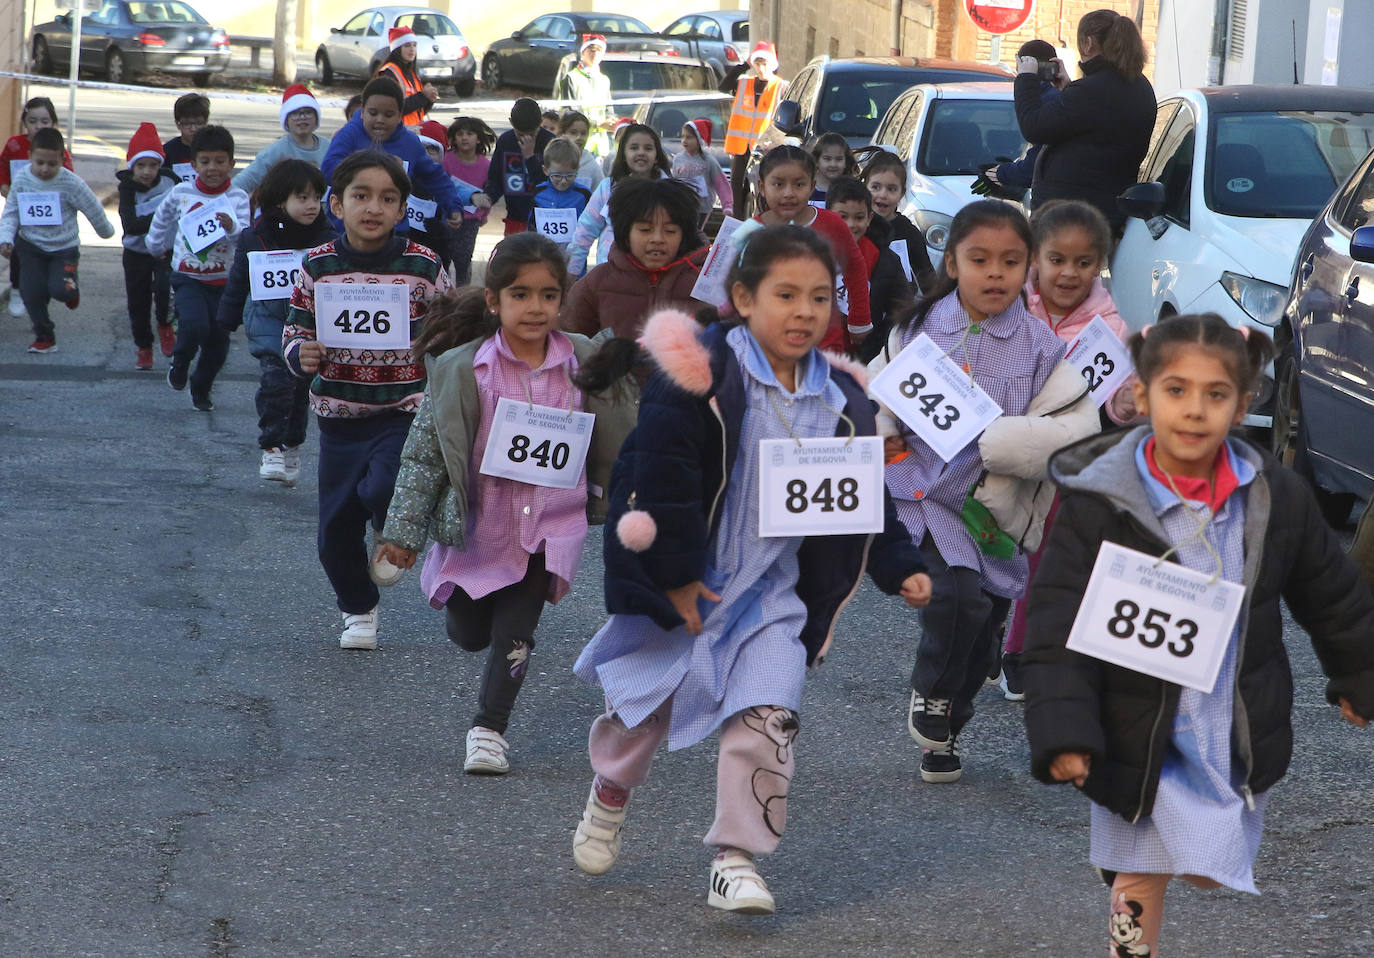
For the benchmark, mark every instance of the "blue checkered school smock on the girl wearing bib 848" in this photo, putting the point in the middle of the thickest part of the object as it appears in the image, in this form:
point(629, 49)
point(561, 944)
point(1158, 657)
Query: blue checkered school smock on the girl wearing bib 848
point(750, 651)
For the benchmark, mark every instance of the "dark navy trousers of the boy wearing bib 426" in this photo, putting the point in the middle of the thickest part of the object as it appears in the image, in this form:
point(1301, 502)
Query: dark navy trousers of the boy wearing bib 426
point(359, 461)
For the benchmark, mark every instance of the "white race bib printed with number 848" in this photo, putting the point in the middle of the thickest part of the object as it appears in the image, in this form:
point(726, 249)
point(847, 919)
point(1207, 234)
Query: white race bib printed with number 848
point(821, 487)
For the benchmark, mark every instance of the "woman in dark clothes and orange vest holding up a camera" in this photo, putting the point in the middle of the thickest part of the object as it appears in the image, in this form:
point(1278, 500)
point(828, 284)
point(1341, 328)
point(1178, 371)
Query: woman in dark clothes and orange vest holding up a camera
point(1096, 134)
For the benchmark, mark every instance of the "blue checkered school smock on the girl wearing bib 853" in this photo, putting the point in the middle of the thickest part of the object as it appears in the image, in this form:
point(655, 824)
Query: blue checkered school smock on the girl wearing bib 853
point(1200, 824)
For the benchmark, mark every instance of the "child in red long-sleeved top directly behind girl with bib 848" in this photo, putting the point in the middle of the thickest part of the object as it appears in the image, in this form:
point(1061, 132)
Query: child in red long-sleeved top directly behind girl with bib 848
point(787, 181)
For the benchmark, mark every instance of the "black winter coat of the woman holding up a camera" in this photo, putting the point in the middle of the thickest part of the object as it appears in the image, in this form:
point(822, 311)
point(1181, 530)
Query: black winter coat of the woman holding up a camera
point(1094, 135)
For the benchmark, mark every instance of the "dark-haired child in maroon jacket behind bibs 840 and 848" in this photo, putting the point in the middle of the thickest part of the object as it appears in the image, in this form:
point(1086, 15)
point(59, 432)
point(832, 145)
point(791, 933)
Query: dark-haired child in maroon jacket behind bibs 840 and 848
point(656, 262)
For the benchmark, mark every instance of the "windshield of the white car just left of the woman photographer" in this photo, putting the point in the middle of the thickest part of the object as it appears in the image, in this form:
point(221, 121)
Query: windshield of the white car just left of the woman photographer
point(964, 137)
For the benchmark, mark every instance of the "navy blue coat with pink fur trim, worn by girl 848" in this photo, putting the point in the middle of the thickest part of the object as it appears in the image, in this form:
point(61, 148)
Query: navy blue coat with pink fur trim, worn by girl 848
point(677, 463)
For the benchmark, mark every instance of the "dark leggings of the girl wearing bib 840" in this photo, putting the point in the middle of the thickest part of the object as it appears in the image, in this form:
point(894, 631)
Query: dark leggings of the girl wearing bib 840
point(502, 622)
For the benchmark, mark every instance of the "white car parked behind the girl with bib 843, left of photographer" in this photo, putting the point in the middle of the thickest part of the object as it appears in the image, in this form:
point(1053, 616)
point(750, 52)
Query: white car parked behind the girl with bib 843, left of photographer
point(946, 134)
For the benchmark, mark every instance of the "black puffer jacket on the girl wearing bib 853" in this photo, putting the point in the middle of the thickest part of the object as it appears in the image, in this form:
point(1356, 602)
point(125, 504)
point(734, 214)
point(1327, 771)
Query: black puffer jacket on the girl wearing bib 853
point(1123, 718)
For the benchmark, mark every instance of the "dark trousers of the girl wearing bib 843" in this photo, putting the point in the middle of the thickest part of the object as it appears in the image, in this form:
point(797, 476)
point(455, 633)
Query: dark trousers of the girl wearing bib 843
point(961, 636)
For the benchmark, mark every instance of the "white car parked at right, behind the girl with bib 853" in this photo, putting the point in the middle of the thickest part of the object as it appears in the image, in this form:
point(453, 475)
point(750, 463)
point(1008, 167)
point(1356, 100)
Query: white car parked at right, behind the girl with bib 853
point(1244, 171)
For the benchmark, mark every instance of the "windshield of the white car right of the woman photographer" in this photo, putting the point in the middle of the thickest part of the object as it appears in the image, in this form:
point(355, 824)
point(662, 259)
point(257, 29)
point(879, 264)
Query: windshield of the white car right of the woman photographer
point(1284, 164)
